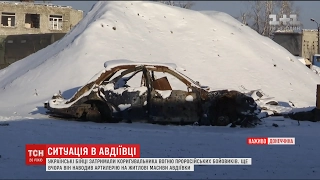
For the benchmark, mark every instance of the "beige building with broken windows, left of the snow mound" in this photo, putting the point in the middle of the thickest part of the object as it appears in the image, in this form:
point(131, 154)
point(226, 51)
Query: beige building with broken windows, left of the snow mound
point(30, 18)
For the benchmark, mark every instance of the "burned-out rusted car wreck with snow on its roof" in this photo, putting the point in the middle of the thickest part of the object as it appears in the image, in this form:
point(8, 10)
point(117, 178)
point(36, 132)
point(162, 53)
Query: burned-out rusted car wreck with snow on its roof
point(154, 93)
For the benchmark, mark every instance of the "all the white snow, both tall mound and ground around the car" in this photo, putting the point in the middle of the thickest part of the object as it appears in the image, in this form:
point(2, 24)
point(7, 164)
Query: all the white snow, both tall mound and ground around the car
point(214, 48)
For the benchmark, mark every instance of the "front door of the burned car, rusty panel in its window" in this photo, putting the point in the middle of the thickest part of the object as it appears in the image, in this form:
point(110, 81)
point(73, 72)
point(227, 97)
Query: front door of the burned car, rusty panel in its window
point(169, 105)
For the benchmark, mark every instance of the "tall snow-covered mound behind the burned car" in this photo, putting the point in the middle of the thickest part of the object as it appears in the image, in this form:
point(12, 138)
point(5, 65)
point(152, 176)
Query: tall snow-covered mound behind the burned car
point(213, 48)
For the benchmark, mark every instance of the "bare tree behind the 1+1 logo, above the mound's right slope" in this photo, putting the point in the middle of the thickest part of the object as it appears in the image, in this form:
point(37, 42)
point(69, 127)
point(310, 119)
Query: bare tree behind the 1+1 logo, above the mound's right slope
point(257, 15)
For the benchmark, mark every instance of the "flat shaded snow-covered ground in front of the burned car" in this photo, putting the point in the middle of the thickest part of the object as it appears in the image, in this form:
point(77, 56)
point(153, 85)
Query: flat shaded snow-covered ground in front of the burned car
point(300, 161)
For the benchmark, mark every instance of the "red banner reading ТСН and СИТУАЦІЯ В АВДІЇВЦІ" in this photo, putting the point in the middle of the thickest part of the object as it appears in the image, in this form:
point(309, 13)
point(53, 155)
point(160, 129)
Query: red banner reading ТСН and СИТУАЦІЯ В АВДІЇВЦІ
point(36, 154)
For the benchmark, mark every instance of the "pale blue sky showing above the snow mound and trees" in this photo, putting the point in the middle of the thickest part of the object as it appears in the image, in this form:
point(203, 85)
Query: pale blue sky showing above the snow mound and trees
point(308, 9)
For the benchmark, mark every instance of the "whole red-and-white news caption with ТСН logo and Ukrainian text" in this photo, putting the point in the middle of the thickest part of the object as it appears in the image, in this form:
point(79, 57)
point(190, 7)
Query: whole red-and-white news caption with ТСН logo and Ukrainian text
point(112, 157)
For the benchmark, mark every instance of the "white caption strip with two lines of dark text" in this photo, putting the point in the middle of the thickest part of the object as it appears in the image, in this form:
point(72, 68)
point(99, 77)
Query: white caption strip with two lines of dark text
point(138, 164)
